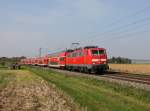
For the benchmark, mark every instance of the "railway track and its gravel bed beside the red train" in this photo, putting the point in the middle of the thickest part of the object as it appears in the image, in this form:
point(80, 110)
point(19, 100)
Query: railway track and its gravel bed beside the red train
point(136, 80)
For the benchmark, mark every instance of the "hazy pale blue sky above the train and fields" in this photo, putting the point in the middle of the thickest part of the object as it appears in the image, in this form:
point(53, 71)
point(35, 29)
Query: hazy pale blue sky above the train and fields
point(26, 25)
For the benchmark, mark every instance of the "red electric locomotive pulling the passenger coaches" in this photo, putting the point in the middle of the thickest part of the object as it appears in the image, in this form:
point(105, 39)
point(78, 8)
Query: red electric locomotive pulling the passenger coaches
point(87, 59)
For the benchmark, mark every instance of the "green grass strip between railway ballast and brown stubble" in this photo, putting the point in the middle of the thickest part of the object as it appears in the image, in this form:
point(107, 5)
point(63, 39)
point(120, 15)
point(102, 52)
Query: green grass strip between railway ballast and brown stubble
point(96, 95)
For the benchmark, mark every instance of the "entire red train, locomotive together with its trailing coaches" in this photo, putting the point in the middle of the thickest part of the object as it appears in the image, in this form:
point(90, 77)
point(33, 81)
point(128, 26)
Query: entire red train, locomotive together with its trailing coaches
point(89, 59)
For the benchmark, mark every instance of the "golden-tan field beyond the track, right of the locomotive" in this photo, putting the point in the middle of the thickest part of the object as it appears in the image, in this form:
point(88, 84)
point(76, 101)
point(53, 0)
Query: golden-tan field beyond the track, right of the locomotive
point(131, 68)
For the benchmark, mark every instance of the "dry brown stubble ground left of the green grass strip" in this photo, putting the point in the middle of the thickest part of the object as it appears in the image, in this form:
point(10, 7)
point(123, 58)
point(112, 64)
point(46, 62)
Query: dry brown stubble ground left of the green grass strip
point(28, 92)
